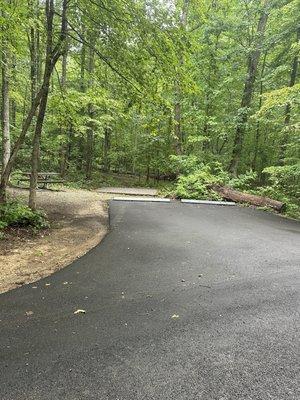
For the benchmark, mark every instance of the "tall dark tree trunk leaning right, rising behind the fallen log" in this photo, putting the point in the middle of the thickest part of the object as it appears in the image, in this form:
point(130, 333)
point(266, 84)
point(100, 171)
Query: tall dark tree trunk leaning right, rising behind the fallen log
point(253, 62)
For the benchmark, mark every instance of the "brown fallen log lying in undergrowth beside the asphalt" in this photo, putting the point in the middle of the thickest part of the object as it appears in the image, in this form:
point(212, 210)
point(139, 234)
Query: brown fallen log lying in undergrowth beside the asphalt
point(241, 197)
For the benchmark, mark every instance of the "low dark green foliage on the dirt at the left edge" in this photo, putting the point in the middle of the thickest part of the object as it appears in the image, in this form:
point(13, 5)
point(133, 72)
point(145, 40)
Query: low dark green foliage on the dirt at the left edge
point(15, 214)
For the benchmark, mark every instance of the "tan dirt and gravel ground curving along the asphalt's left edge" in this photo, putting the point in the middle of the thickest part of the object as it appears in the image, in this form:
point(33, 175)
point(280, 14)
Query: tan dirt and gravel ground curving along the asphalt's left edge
point(79, 220)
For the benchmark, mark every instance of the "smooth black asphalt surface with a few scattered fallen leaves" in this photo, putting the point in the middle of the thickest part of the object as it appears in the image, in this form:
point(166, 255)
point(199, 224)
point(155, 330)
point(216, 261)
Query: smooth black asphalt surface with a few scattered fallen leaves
point(182, 302)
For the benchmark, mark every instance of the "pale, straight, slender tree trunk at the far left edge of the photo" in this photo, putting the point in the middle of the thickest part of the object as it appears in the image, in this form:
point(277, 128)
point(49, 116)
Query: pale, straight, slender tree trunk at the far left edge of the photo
point(5, 105)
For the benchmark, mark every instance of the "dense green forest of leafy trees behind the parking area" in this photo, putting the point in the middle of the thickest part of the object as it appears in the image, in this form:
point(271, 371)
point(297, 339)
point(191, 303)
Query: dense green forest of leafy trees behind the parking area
point(182, 95)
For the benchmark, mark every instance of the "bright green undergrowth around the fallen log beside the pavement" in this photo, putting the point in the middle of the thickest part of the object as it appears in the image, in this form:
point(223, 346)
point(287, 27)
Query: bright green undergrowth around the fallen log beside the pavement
point(280, 183)
